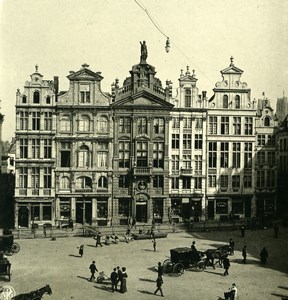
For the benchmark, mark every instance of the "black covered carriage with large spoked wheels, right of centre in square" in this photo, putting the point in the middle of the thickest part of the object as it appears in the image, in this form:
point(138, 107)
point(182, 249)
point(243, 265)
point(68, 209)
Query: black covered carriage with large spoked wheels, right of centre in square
point(183, 258)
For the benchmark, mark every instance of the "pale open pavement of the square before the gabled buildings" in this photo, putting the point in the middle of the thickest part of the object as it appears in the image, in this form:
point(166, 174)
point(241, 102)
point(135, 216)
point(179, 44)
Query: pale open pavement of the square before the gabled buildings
point(42, 261)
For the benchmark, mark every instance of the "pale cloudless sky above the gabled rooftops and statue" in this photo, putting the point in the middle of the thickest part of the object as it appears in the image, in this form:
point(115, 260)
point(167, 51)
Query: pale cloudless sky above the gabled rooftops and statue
point(61, 35)
